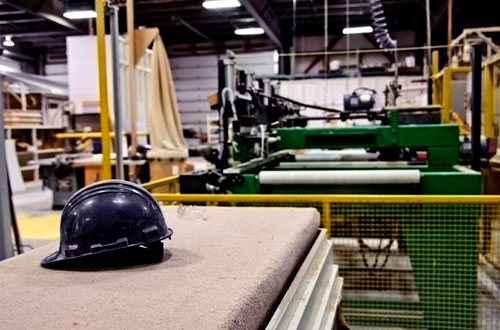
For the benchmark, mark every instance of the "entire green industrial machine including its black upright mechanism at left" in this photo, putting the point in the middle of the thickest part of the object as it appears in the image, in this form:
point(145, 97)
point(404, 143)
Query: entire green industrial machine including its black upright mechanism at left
point(394, 155)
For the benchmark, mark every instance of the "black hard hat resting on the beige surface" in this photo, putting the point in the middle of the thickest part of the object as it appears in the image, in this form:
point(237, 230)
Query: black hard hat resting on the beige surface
point(108, 216)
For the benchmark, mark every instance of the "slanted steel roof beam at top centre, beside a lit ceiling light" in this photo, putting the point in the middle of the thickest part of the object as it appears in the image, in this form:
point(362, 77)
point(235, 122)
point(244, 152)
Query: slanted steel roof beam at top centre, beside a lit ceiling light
point(265, 17)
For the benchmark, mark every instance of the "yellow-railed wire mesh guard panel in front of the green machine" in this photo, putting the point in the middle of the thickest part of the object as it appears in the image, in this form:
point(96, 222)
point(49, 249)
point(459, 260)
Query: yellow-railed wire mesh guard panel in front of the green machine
point(407, 261)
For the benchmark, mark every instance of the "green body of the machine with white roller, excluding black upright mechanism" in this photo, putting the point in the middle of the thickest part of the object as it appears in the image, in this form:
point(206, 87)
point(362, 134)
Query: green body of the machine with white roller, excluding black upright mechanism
point(283, 172)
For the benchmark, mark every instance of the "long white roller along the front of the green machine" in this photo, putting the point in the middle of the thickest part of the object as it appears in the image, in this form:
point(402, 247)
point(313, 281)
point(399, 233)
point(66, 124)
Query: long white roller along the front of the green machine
point(354, 177)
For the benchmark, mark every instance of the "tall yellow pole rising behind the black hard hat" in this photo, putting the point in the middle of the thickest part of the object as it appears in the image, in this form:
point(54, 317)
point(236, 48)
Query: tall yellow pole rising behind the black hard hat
point(103, 90)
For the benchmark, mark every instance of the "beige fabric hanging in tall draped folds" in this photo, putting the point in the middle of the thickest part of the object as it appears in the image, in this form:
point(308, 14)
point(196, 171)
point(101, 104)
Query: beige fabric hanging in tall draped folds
point(165, 130)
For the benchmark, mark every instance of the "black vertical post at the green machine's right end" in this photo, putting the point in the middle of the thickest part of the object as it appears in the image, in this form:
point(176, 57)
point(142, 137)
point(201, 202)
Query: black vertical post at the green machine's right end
point(476, 107)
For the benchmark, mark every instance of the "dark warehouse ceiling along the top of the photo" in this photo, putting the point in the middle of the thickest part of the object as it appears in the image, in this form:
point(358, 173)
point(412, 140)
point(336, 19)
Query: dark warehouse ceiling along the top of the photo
point(39, 28)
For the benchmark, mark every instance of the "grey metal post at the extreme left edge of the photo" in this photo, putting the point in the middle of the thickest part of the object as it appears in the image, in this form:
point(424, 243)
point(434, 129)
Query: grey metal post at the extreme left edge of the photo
point(5, 237)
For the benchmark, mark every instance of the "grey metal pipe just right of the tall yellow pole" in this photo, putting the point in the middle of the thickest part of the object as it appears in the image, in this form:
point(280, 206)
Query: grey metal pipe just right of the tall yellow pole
point(117, 95)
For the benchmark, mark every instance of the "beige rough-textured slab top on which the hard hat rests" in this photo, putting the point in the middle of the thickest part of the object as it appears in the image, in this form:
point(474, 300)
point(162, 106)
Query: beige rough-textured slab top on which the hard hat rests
point(226, 272)
